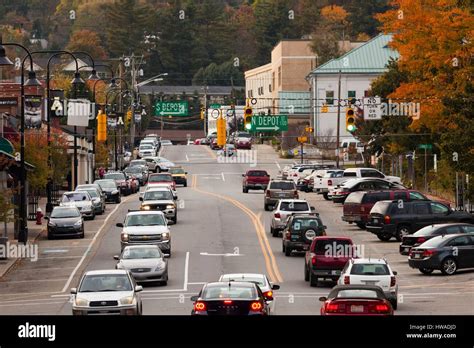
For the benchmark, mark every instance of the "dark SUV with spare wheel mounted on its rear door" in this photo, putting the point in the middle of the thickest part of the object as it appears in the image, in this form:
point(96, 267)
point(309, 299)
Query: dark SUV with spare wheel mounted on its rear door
point(300, 231)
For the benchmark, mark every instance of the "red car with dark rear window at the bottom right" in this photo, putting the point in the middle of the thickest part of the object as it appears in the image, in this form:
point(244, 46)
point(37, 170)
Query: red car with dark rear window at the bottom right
point(356, 300)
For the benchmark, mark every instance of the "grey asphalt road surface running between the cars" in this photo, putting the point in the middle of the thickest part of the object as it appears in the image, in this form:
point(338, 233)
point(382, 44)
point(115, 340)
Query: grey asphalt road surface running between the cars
point(219, 230)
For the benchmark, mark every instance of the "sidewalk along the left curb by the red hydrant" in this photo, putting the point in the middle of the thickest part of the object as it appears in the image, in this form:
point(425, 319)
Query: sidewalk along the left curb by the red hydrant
point(34, 232)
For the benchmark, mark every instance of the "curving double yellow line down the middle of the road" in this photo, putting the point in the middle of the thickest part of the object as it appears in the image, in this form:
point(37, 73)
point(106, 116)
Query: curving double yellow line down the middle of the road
point(270, 262)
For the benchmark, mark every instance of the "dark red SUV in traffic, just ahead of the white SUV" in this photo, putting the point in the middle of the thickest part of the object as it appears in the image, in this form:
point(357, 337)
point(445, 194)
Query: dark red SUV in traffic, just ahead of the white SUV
point(326, 258)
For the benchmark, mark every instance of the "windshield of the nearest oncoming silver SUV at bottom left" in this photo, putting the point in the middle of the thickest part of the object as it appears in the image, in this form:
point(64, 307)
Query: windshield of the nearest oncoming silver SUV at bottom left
point(105, 282)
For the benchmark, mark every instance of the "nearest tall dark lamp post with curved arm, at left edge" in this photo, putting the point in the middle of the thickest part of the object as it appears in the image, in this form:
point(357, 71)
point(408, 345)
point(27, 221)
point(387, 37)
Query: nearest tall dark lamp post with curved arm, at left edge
point(32, 81)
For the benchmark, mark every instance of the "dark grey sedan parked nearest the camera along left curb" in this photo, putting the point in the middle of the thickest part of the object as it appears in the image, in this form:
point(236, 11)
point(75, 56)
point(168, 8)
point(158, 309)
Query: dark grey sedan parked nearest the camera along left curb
point(65, 222)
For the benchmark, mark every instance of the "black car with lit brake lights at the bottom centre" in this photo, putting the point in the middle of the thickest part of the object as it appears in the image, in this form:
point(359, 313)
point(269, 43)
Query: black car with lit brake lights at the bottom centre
point(230, 298)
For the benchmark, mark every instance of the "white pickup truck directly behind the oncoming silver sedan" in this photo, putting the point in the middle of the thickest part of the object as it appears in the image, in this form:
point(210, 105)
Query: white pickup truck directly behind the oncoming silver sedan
point(145, 227)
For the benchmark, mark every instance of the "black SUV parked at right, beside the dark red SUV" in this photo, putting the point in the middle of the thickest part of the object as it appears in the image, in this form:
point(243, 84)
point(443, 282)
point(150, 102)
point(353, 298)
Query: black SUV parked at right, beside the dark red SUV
point(389, 219)
